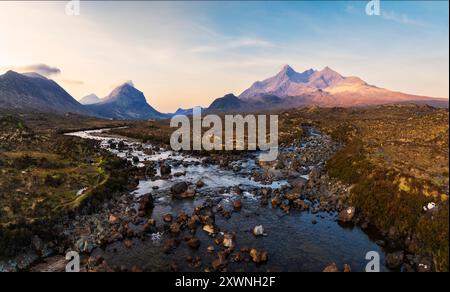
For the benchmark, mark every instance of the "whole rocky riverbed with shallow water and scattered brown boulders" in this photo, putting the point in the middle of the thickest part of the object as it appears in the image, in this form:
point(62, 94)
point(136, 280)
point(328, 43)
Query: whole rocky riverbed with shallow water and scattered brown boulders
point(219, 213)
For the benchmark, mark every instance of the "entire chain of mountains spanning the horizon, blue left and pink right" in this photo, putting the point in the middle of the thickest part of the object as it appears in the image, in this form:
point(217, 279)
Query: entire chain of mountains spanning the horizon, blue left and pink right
point(287, 89)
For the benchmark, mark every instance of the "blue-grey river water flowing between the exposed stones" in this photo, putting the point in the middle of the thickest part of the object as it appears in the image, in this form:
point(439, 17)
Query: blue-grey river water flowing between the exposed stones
point(294, 242)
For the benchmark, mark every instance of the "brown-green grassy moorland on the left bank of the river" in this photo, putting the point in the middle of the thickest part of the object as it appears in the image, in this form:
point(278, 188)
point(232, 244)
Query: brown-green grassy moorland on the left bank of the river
point(45, 174)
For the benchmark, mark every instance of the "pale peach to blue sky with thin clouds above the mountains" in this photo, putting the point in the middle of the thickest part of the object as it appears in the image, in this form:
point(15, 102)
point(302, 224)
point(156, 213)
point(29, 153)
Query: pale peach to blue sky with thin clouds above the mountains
point(184, 54)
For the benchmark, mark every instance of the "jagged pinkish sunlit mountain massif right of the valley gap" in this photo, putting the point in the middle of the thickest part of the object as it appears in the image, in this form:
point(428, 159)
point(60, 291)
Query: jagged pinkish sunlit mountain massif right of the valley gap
point(326, 88)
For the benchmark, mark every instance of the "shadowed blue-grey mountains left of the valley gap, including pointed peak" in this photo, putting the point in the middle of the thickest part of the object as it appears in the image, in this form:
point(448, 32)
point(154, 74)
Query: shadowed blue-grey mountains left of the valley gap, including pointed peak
point(33, 92)
